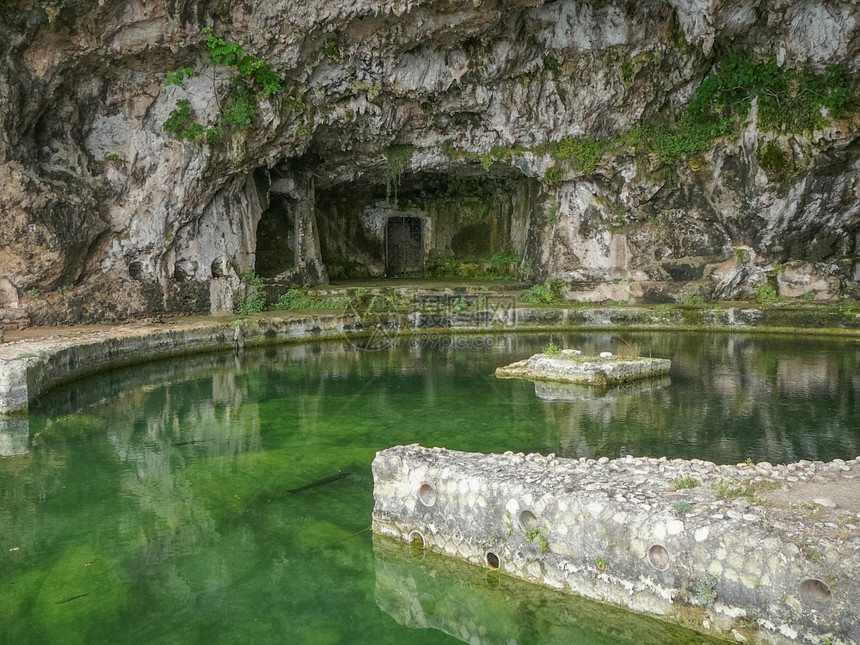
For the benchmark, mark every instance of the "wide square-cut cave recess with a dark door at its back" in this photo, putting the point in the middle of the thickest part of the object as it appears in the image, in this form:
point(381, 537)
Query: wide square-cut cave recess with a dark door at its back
point(425, 224)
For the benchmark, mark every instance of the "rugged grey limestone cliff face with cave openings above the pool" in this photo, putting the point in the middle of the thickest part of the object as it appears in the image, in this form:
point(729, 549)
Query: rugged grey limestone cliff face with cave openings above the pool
point(430, 114)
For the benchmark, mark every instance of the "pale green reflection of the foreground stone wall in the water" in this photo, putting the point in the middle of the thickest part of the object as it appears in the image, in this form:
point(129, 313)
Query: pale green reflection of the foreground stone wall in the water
point(423, 590)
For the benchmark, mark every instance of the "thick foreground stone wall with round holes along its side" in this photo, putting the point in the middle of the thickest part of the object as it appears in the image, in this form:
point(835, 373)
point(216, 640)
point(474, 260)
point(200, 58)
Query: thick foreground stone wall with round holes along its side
point(755, 552)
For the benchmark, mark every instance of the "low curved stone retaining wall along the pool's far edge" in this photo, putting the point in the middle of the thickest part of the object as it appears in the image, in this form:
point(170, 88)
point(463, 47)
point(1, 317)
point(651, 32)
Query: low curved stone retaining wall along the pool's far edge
point(31, 367)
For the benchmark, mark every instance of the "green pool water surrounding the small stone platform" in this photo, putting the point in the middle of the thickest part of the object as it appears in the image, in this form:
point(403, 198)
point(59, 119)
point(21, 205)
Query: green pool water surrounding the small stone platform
point(152, 505)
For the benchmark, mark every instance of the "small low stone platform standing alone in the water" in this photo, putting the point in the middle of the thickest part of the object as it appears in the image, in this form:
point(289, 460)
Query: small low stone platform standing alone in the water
point(570, 366)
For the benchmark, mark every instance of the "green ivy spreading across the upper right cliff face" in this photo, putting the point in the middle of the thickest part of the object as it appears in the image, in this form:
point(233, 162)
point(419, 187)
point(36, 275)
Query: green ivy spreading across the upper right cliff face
point(788, 101)
